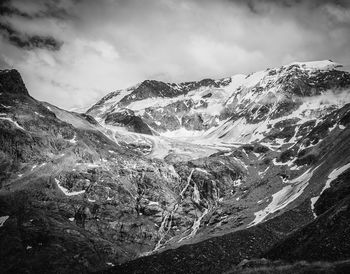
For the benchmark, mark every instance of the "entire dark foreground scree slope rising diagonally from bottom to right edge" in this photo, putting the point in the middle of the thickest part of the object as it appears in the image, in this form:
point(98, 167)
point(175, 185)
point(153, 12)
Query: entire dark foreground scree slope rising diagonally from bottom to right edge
point(325, 239)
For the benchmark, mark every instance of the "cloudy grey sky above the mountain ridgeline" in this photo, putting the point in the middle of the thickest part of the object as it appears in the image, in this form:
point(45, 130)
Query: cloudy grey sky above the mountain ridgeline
point(72, 52)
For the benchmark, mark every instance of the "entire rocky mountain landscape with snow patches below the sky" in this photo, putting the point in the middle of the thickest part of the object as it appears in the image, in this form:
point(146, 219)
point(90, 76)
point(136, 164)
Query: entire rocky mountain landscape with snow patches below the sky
point(191, 177)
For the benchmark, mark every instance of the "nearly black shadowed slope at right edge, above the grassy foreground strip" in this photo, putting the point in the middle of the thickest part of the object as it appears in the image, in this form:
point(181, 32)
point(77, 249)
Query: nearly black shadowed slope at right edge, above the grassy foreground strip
point(327, 238)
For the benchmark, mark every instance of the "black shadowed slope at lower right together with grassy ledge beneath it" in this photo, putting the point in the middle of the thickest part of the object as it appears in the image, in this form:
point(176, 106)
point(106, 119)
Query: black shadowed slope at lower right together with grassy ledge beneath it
point(321, 246)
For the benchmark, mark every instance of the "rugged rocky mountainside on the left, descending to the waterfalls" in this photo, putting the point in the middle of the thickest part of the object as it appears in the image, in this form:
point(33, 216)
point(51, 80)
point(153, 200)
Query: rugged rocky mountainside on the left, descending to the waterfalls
point(68, 192)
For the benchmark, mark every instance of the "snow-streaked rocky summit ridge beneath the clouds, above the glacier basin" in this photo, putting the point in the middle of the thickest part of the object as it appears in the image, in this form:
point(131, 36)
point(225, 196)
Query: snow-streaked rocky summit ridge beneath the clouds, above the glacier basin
point(212, 108)
